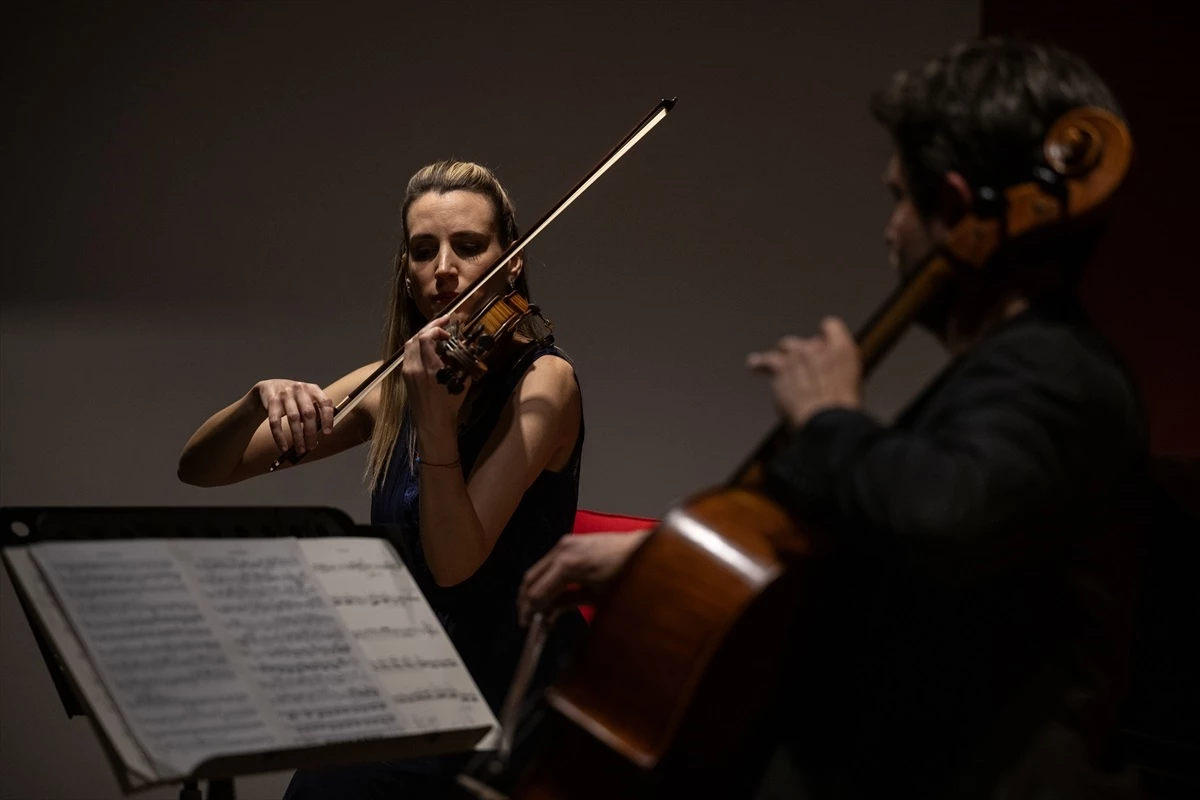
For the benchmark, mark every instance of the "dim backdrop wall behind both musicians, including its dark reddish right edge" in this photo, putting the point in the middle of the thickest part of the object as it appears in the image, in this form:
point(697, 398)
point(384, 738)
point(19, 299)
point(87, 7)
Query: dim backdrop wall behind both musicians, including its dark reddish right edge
point(206, 195)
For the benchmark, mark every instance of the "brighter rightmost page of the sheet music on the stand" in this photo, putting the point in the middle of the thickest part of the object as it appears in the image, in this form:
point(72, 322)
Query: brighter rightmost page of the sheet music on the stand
point(412, 657)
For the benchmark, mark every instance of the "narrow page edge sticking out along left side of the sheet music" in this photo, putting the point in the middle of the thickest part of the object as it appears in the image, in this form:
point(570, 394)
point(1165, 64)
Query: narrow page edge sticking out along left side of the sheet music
point(69, 647)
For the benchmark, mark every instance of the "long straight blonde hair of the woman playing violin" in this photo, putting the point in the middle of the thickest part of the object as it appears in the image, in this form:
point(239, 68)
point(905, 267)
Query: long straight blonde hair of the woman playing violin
point(404, 317)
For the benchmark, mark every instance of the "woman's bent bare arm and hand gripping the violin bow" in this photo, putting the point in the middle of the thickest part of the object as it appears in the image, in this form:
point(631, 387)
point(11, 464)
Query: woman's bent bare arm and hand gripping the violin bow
point(243, 440)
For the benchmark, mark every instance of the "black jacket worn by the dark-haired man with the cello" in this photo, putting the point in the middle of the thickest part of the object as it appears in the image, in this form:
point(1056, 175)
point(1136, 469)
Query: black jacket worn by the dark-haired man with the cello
point(979, 609)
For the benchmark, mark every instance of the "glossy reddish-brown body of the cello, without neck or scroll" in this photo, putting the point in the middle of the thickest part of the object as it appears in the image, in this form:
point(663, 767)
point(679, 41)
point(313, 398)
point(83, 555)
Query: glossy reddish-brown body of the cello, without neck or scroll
point(671, 706)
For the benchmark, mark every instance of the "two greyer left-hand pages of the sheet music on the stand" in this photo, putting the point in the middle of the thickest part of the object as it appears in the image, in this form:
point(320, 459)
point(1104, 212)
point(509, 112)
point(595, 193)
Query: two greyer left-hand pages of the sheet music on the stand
point(218, 647)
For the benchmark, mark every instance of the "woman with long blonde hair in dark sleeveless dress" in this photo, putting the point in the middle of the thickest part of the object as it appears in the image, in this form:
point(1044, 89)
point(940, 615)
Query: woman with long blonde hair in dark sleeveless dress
point(478, 486)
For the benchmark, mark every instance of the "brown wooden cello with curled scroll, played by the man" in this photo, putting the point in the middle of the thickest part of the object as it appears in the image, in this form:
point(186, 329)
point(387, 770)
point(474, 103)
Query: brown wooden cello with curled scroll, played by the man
point(669, 691)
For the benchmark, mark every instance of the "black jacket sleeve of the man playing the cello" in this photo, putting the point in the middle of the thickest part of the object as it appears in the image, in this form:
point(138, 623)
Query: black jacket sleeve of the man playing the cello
point(1033, 420)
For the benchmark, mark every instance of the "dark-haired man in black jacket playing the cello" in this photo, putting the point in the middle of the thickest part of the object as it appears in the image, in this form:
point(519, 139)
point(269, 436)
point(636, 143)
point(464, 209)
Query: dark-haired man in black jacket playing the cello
point(976, 642)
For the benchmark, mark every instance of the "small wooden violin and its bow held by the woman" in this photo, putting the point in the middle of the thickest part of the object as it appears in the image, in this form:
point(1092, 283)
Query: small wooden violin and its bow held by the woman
point(487, 334)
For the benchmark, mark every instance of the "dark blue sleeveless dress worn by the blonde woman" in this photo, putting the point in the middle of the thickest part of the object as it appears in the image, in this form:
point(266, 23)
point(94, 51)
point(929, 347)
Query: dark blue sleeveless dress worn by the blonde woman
point(479, 615)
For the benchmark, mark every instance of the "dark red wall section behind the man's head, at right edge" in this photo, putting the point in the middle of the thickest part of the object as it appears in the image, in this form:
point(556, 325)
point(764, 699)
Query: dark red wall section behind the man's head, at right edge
point(1145, 284)
